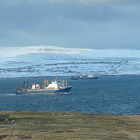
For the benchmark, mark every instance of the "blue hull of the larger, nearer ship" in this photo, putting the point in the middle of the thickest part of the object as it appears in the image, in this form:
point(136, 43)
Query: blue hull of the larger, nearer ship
point(64, 90)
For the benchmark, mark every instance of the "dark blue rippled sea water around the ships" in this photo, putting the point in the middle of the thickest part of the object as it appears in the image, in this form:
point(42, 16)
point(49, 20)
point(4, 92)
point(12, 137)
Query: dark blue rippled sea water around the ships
point(108, 94)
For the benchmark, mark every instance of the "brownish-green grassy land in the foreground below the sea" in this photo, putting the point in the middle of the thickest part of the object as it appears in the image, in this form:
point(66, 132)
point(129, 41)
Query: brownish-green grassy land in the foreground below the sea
point(16, 125)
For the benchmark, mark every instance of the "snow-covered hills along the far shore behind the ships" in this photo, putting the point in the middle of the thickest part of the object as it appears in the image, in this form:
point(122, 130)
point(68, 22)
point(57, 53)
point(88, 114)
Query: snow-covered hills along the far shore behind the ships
point(50, 61)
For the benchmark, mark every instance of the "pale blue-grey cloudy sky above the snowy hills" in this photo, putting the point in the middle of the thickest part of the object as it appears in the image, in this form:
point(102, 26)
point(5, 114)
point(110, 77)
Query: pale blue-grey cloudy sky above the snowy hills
point(93, 24)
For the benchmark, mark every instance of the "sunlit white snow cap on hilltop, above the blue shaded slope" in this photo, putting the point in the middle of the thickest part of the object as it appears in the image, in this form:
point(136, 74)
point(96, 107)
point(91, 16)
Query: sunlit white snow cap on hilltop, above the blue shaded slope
point(16, 51)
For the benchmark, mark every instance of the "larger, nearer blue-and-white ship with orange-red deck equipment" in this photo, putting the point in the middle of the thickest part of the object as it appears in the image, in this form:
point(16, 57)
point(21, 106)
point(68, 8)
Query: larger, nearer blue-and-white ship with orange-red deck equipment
point(52, 88)
